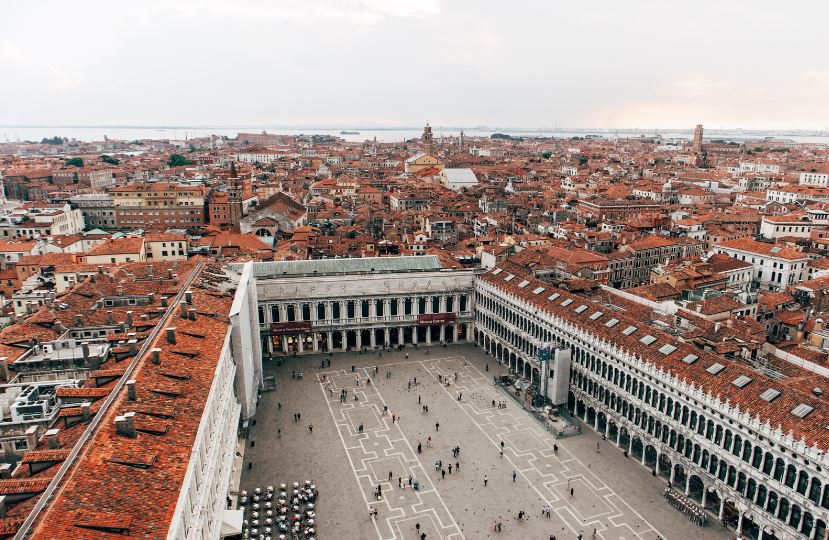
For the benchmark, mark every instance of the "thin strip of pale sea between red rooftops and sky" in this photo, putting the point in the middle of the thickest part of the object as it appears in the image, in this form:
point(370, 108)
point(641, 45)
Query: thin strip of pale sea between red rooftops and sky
point(97, 133)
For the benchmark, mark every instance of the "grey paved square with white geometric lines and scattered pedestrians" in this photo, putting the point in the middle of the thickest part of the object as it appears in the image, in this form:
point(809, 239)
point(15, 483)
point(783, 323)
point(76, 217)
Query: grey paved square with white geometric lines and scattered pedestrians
point(610, 493)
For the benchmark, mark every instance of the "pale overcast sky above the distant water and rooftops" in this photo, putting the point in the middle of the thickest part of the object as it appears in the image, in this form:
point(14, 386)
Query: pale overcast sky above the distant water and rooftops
point(384, 63)
